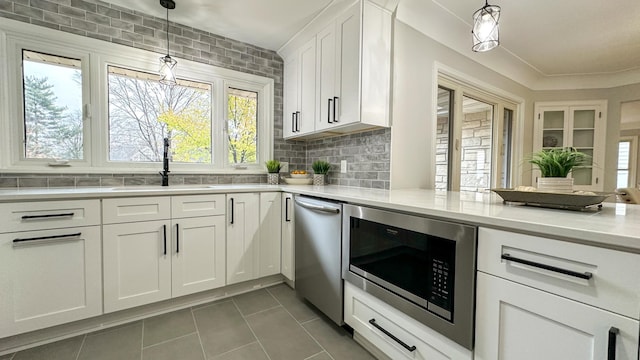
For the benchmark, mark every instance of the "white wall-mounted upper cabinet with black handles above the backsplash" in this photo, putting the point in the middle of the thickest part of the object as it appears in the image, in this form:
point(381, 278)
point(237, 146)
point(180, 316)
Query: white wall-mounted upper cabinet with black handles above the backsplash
point(352, 72)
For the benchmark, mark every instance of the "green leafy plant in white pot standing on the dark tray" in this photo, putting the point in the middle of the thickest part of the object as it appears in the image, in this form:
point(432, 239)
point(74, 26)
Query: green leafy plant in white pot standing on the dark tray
point(555, 165)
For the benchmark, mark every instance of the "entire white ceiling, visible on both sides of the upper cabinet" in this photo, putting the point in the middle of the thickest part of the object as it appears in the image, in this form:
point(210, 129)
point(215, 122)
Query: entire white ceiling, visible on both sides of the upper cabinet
point(549, 38)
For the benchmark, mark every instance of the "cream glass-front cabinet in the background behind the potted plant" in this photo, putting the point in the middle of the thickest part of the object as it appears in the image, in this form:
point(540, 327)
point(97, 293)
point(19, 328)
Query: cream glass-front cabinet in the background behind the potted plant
point(577, 124)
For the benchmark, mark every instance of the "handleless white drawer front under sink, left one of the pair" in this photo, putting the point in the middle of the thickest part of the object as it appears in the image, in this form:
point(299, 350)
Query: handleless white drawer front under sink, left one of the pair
point(135, 209)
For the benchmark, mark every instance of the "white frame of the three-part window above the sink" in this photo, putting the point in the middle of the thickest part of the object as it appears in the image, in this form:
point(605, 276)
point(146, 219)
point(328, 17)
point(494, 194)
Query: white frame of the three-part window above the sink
point(96, 56)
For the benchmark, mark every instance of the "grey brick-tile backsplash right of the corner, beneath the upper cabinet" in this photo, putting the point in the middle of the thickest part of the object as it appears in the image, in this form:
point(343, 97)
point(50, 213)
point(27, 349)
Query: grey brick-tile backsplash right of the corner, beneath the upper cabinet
point(367, 154)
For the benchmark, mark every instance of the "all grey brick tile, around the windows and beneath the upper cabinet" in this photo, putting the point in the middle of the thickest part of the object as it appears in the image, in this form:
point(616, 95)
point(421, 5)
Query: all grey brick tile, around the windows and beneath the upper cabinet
point(367, 153)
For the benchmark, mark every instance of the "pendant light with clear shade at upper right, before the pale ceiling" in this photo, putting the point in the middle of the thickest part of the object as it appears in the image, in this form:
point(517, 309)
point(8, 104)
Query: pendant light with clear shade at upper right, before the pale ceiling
point(486, 30)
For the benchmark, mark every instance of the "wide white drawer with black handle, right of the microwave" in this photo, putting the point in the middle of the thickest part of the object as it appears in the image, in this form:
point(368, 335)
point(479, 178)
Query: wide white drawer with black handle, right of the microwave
point(600, 277)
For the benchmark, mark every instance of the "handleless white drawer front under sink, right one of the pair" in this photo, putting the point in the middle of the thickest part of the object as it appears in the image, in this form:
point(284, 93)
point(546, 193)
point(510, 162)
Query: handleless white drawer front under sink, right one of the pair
point(197, 205)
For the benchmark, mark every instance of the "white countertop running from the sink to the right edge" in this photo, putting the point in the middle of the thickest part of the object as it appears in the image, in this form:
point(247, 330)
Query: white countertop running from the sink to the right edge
point(615, 226)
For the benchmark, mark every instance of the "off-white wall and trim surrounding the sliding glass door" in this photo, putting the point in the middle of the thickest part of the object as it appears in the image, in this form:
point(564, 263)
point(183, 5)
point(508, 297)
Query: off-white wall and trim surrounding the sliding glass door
point(416, 60)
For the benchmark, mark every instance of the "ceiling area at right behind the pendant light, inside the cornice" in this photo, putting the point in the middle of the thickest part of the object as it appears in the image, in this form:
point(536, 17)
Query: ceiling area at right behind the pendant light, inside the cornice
point(568, 36)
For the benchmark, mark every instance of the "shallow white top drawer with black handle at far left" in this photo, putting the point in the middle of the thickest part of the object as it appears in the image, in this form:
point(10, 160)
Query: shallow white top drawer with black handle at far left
point(26, 216)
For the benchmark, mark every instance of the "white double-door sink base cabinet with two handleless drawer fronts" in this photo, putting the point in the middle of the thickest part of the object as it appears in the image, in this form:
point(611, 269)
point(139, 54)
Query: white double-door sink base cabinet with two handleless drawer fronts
point(149, 261)
